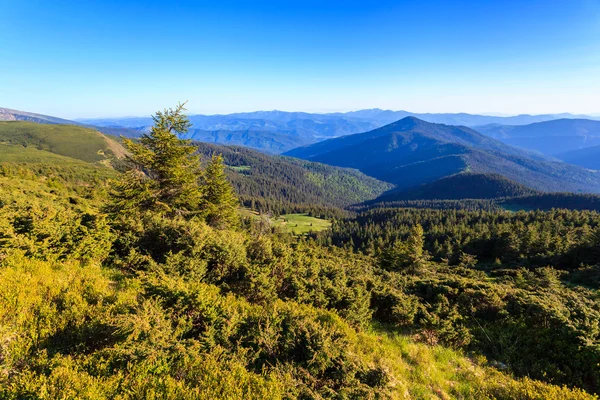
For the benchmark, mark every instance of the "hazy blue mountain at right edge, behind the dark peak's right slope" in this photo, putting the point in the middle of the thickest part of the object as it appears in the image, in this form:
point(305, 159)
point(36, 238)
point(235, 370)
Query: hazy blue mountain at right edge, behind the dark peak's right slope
point(549, 137)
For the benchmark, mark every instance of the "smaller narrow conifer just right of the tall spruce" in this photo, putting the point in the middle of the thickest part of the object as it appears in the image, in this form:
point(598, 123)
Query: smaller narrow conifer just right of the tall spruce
point(220, 201)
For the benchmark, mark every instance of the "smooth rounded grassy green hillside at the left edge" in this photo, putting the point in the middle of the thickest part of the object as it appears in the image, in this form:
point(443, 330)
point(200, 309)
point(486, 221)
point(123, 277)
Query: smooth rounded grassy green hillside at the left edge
point(67, 140)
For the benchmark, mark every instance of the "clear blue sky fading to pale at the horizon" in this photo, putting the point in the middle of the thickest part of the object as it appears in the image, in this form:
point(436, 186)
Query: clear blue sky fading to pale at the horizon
point(78, 59)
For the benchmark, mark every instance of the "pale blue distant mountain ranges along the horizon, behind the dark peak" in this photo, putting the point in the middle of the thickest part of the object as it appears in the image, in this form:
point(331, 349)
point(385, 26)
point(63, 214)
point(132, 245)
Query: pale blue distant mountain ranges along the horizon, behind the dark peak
point(276, 132)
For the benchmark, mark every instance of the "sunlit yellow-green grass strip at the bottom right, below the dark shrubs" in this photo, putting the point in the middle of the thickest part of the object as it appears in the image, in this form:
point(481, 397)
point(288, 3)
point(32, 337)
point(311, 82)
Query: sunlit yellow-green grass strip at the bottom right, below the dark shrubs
point(420, 371)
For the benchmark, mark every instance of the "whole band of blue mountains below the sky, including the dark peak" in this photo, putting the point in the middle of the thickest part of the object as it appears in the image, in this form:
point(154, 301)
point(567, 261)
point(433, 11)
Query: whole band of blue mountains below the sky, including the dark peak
point(421, 159)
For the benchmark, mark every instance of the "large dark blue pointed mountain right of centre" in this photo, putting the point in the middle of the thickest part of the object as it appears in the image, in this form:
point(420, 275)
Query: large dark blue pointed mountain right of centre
point(411, 152)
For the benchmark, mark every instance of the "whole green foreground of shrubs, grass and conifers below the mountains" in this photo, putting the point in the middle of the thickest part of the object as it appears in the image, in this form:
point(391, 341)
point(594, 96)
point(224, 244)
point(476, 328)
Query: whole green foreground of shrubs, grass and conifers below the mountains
point(143, 282)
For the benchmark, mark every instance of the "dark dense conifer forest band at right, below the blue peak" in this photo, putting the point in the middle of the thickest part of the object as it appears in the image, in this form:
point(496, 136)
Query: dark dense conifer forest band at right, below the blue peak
point(537, 238)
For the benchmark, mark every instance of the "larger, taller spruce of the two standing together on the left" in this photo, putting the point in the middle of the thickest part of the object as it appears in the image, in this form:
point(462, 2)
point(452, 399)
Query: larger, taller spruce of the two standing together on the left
point(164, 173)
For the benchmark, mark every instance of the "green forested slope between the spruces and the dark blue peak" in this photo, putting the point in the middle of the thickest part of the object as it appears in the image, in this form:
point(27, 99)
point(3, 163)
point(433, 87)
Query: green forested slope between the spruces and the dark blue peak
point(259, 177)
